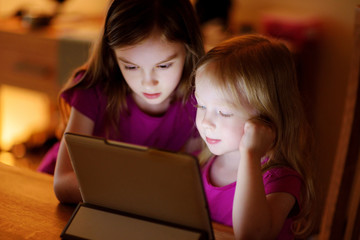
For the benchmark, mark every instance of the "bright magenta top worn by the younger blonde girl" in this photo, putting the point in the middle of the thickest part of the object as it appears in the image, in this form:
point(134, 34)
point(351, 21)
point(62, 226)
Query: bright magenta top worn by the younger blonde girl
point(278, 179)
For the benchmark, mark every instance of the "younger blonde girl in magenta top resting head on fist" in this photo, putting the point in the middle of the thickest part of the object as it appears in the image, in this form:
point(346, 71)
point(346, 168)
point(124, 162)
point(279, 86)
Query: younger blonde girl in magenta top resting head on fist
point(251, 118)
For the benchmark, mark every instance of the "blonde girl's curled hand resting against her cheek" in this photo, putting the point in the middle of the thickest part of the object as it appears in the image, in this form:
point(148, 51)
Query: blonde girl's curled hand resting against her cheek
point(258, 138)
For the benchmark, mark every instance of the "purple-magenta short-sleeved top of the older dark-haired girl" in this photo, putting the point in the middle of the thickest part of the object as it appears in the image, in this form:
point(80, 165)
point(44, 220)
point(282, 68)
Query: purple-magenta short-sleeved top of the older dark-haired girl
point(169, 131)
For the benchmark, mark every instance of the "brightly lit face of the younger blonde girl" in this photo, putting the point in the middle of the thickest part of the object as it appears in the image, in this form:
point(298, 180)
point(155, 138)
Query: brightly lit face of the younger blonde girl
point(220, 123)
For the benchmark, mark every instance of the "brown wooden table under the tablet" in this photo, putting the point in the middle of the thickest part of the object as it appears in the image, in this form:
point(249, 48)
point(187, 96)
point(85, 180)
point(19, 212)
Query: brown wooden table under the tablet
point(30, 210)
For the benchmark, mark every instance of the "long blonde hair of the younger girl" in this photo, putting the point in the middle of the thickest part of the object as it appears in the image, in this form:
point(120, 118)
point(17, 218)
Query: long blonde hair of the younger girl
point(262, 71)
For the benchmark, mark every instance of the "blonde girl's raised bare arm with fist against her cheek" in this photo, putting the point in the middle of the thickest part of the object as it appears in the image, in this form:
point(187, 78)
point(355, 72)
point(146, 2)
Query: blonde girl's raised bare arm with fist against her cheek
point(256, 215)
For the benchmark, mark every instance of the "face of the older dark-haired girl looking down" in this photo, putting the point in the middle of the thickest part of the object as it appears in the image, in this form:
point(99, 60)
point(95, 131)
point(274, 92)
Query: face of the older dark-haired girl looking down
point(152, 69)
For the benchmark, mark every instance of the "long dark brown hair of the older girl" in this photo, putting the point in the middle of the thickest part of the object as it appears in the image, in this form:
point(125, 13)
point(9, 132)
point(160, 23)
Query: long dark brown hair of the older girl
point(129, 22)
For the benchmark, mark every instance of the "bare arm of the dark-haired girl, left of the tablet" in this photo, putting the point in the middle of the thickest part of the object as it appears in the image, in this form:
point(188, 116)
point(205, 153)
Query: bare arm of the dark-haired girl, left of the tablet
point(66, 186)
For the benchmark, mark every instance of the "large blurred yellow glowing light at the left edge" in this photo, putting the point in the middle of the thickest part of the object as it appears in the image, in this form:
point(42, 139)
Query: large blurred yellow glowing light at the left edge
point(22, 112)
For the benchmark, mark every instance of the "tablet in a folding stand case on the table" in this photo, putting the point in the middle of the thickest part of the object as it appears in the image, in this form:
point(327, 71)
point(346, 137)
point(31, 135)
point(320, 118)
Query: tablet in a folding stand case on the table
point(144, 185)
